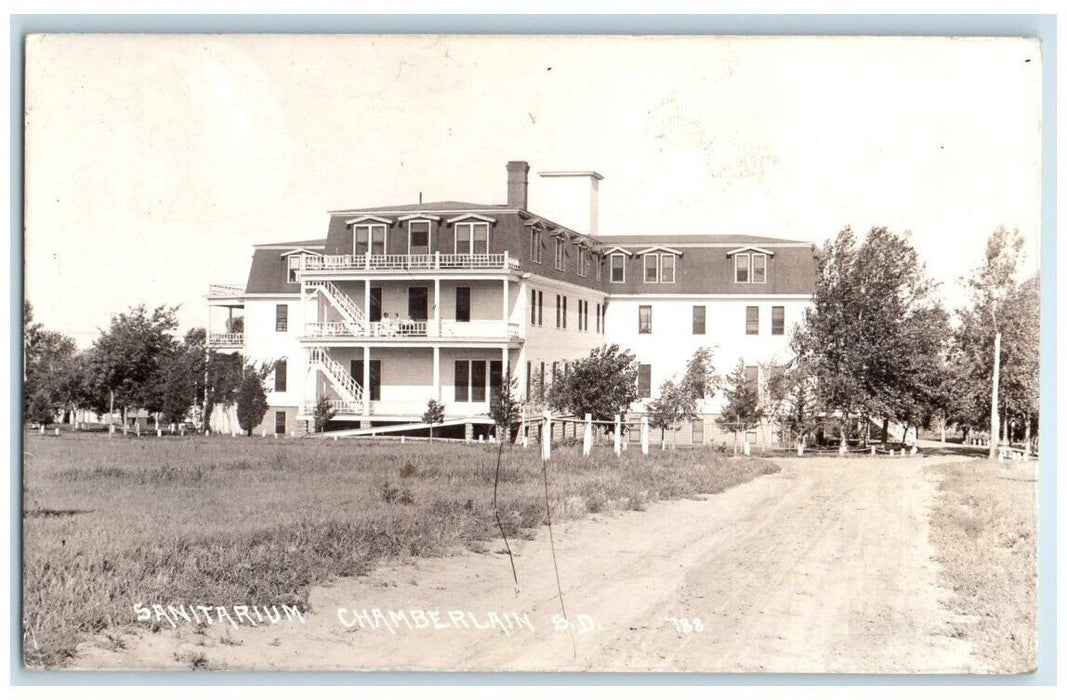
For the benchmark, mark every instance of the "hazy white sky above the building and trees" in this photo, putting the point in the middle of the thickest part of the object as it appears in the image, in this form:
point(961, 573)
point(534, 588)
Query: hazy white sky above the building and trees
point(155, 163)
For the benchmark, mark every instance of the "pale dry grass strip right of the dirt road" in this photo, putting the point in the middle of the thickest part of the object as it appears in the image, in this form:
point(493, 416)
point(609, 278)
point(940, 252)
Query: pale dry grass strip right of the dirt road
point(984, 528)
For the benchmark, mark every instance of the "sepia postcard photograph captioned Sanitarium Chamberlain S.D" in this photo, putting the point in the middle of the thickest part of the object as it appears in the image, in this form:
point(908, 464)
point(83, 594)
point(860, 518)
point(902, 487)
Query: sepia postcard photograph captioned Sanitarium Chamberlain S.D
point(454, 353)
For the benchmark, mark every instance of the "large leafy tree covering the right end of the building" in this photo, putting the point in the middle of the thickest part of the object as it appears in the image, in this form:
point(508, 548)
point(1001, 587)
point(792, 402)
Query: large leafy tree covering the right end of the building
point(875, 333)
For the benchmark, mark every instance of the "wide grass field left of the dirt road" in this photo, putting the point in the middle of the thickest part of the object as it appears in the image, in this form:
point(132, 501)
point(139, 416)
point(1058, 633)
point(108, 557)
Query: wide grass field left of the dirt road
point(114, 522)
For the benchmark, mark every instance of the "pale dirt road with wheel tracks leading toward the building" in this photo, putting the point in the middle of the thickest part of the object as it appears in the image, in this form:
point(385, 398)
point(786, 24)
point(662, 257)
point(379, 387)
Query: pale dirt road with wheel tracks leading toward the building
point(823, 567)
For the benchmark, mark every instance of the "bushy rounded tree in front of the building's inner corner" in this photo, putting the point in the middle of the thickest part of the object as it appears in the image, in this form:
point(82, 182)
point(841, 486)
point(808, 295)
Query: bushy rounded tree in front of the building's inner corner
point(604, 384)
